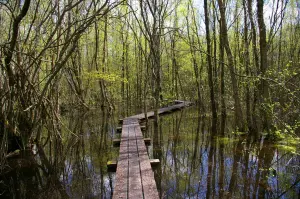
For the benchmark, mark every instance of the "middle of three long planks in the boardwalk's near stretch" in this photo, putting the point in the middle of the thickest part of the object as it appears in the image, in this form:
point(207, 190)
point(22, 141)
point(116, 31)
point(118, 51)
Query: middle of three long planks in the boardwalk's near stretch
point(135, 189)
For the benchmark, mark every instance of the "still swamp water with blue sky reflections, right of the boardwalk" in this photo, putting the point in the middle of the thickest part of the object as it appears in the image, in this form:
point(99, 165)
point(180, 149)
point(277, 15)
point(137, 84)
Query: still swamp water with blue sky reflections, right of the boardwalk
point(198, 163)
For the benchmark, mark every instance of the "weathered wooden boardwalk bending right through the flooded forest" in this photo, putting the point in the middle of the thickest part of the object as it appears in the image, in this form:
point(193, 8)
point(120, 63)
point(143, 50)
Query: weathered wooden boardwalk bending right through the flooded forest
point(134, 176)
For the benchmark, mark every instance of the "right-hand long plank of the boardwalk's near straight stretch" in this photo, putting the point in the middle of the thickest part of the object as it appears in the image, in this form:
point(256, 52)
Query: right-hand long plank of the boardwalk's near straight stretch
point(148, 182)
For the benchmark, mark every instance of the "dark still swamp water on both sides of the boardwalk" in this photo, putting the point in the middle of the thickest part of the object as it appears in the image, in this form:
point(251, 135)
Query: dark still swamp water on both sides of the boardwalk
point(195, 163)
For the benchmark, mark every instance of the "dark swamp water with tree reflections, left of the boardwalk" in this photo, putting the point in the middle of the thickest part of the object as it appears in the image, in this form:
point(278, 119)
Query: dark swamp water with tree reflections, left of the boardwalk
point(68, 165)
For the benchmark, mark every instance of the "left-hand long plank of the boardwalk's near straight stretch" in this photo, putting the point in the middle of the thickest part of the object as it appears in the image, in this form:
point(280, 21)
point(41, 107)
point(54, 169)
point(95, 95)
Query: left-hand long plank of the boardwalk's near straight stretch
point(121, 182)
